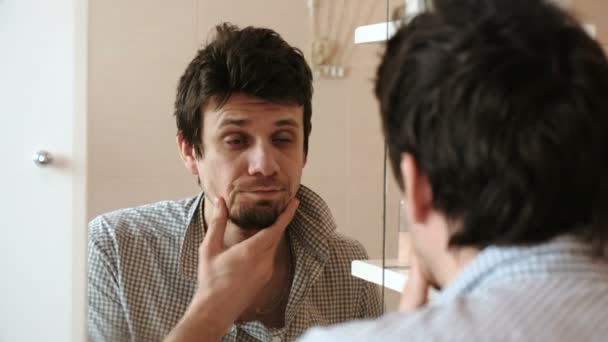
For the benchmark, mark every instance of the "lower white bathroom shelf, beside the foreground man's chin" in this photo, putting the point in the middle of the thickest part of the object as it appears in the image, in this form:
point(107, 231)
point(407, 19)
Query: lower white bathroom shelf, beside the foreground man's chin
point(395, 272)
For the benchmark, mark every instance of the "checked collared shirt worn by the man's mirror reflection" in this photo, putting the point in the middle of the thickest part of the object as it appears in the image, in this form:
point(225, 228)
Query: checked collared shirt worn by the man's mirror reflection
point(142, 271)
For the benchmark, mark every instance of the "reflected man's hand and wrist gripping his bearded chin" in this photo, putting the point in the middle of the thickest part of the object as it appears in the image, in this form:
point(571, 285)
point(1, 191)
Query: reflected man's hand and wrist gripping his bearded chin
point(229, 279)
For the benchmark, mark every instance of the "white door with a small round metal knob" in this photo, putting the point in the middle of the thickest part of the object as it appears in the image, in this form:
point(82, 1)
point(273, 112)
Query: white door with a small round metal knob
point(42, 208)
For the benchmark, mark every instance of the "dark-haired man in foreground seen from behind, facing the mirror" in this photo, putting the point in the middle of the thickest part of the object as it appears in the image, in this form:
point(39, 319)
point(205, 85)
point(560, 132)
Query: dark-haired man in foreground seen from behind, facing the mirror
point(496, 117)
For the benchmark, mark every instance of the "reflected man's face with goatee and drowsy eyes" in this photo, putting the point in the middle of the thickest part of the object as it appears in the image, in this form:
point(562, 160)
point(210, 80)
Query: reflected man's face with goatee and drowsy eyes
point(253, 155)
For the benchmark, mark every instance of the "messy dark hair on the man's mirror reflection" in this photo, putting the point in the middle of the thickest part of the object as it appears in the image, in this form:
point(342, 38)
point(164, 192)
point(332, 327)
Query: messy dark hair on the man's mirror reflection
point(251, 61)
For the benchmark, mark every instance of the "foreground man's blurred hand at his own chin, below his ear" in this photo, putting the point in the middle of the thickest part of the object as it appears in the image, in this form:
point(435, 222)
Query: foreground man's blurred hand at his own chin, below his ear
point(415, 294)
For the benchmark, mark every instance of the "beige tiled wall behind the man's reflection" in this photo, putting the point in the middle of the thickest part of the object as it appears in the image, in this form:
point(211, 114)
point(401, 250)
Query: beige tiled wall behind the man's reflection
point(139, 48)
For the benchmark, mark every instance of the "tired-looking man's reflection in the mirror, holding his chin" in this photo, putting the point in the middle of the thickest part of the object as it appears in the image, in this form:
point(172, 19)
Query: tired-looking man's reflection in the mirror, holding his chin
point(243, 112)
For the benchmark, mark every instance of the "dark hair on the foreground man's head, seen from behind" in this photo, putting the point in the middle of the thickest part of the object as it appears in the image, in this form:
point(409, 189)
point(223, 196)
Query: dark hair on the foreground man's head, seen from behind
point(504, 106)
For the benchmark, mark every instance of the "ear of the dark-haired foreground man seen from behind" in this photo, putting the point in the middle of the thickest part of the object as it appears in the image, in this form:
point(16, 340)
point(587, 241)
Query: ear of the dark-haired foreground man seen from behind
point(418, 194)
